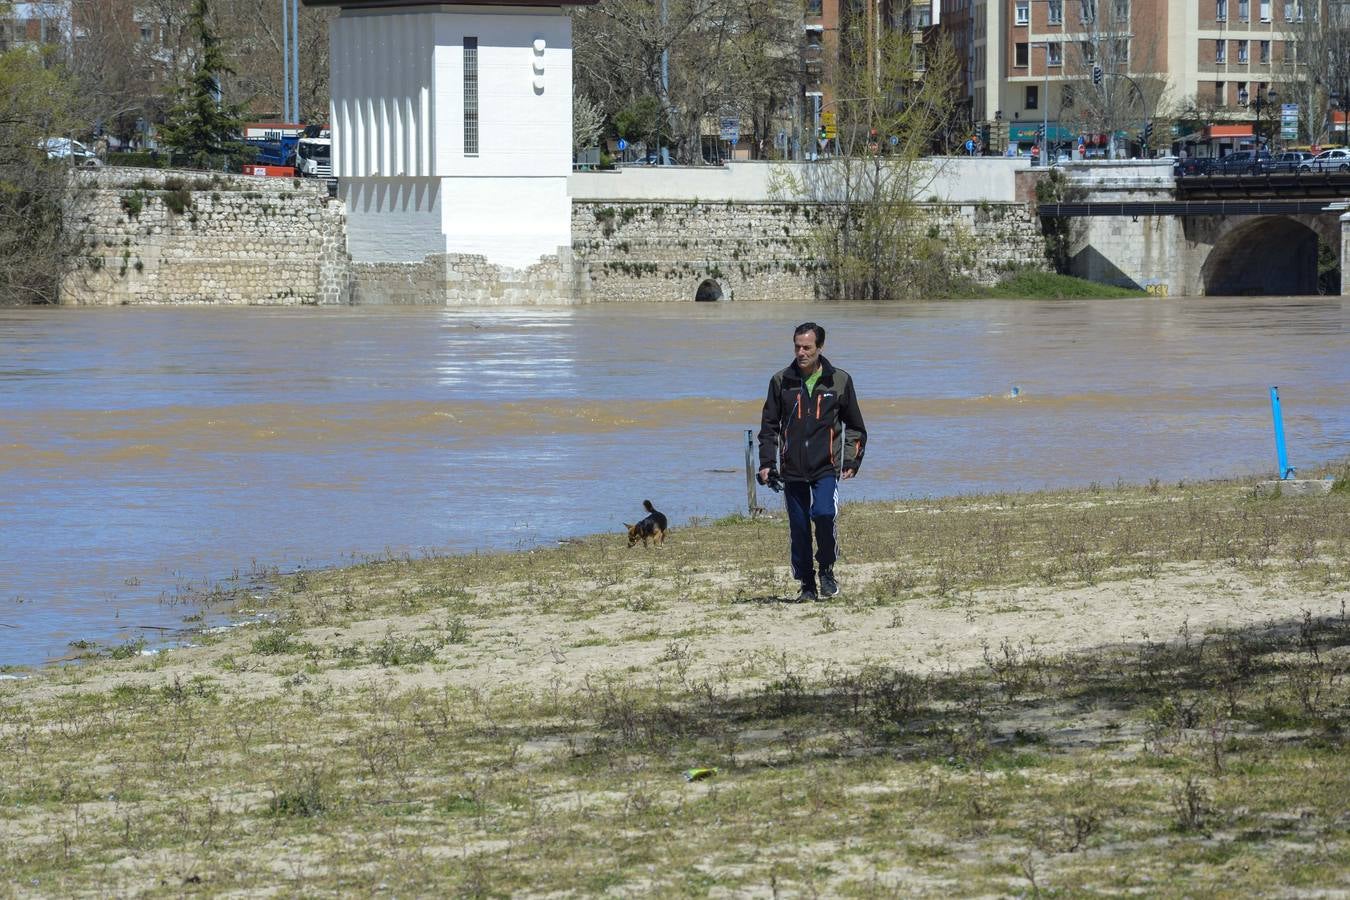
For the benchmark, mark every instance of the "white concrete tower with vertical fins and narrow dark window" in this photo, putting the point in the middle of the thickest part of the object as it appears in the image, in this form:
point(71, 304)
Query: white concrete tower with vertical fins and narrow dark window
point(452, 128)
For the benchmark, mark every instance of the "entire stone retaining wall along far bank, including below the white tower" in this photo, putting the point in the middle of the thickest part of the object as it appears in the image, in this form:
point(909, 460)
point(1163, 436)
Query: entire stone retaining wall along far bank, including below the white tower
point(196, 238)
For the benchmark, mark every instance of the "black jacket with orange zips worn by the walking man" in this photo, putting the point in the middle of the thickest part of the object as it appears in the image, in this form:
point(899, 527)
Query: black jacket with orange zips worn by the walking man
point(801, 434)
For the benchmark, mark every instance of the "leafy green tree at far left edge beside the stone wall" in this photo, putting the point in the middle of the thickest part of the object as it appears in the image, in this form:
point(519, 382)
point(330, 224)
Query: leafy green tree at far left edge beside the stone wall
point(37, 105)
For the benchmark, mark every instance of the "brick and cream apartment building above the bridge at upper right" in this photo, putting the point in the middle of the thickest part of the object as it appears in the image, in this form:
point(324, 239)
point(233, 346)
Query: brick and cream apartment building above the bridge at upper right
point(1027, 64)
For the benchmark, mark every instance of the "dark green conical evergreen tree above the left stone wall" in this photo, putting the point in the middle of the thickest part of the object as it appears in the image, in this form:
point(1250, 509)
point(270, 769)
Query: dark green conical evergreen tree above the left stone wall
point(200, 128)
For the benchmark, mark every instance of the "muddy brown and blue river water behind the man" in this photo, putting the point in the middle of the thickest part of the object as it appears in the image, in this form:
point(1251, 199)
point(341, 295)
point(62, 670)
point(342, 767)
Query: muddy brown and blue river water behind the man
point(145, 451)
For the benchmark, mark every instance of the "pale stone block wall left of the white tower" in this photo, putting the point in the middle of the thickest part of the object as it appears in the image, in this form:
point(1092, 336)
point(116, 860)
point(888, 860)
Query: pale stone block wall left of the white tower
point(161, 237)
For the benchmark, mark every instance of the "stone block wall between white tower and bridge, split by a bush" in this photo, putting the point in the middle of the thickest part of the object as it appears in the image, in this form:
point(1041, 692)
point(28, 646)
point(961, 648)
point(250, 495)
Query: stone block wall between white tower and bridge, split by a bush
point(654, 250)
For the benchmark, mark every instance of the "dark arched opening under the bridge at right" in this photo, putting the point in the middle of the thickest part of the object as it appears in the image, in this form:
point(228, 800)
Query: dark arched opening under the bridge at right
point(1266, 257)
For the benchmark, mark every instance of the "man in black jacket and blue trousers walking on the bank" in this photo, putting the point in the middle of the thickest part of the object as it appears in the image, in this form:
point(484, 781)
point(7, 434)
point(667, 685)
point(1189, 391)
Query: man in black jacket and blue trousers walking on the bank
point(807, 412)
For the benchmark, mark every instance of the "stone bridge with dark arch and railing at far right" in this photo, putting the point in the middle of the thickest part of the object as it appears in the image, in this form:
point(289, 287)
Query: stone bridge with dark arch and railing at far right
point(1128, 229)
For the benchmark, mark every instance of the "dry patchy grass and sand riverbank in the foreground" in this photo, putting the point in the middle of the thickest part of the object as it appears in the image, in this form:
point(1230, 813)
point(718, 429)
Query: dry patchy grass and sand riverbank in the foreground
point(1114, 690)
